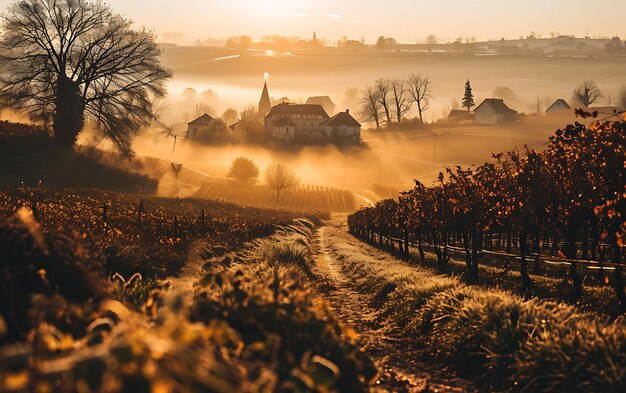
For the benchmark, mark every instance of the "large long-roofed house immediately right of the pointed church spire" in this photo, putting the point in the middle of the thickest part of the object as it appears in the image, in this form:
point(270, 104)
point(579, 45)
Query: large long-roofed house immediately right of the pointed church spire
point(307, 119)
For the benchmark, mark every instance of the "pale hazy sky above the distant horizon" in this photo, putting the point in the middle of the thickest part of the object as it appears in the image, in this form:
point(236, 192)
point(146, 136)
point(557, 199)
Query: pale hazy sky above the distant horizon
point(407, 20)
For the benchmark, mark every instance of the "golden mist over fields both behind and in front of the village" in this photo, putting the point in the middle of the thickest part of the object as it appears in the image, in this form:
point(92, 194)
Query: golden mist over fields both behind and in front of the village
point(236, 77)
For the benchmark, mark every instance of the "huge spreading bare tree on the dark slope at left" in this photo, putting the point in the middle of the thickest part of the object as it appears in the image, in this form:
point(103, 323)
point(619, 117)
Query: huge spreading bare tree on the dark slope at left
point(64, 59)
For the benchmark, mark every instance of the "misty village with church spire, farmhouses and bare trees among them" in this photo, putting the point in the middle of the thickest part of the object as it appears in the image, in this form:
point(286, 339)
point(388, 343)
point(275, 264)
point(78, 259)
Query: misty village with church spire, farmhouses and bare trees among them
point(316, 121)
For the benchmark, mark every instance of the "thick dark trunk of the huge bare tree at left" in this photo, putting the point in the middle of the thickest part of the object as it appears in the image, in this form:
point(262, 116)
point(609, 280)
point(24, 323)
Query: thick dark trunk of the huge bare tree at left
point(69, 114)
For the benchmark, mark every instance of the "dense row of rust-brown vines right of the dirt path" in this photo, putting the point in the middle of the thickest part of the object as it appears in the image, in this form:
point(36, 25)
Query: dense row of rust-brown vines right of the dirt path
point(565, 204)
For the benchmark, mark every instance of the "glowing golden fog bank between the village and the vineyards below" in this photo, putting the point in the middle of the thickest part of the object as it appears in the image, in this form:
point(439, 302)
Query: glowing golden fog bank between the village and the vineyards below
point(391, 158)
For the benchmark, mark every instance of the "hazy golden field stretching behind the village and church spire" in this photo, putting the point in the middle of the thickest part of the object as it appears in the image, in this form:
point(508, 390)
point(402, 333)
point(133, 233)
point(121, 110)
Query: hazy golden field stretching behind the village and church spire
point(238, 75)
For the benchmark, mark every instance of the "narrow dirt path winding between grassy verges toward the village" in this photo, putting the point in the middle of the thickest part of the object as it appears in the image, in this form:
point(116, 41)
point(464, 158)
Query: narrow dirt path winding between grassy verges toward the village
point(403, 366)
